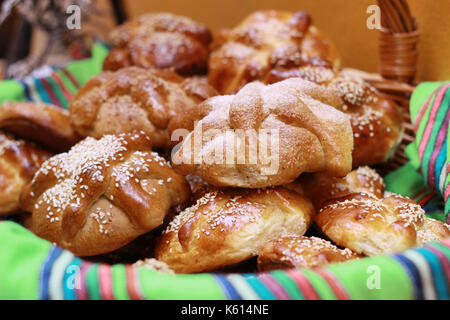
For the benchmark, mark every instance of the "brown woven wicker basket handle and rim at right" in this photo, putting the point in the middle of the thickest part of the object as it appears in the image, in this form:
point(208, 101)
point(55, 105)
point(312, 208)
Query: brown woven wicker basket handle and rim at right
point(398, 40)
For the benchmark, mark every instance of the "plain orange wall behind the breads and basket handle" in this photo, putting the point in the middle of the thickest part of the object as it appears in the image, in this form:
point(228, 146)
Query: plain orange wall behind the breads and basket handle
point(343, 20)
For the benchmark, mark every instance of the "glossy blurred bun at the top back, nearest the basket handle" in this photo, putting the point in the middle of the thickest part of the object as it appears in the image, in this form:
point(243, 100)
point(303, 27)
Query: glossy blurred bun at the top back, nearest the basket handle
point(263, 41)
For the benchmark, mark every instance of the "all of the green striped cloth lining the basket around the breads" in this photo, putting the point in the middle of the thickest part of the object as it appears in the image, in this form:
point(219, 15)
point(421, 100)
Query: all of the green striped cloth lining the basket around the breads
point(33, 268)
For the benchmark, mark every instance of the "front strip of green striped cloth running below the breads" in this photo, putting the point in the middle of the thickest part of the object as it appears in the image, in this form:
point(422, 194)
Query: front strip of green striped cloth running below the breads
point(420, 273)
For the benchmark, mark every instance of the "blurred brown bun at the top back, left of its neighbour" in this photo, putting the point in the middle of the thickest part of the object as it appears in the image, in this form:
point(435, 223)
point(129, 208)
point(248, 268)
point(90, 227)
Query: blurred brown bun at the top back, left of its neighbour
point(161, 40)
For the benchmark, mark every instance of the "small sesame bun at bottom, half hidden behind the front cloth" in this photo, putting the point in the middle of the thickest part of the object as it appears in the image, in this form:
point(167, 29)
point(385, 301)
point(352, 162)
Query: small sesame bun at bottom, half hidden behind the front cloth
point(300, 252)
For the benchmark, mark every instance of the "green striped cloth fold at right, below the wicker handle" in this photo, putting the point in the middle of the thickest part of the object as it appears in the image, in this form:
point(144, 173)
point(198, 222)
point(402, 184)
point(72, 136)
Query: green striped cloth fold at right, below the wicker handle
point(428, 172)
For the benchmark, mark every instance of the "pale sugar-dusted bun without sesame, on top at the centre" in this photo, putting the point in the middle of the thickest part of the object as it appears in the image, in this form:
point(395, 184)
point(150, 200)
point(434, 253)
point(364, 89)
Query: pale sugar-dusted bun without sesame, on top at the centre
point(266, 136)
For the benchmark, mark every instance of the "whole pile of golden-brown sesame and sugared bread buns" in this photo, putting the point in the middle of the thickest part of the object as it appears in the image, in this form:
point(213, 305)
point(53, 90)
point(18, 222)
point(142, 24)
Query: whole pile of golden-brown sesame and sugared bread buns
point(114, 176)
